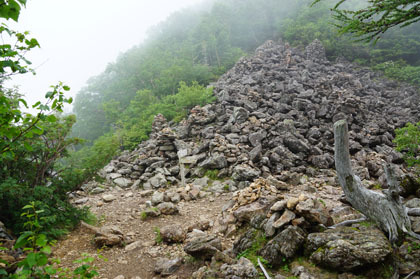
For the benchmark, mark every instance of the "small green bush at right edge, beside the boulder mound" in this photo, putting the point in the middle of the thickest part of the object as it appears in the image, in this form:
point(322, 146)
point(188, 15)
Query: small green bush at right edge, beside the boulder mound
point(407, 140)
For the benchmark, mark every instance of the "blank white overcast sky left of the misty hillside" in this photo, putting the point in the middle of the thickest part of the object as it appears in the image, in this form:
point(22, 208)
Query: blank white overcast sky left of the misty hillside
point(79, 38)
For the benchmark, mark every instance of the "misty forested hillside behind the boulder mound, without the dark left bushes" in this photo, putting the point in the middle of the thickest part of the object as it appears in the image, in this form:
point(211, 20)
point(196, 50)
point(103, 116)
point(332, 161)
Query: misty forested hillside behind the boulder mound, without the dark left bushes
point(194, 47)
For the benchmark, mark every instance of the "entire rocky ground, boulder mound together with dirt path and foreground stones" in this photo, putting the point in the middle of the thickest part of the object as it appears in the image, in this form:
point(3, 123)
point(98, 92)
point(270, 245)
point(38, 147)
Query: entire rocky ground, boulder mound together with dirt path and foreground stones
point(250, 178)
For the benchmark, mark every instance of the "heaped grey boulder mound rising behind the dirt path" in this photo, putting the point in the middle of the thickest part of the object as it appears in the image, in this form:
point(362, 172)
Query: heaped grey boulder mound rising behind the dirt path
point(274, 113)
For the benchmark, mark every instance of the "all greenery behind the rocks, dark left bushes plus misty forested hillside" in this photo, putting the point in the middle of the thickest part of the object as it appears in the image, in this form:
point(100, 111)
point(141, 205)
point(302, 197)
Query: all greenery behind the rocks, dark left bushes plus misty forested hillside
point(170, 73)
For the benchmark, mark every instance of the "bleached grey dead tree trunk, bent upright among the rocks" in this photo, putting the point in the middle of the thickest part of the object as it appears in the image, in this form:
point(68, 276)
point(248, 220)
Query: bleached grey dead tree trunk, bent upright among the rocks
point(385, 209)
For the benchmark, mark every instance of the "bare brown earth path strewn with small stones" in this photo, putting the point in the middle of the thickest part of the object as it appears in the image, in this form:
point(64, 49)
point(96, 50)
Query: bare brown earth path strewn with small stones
point(124, 213)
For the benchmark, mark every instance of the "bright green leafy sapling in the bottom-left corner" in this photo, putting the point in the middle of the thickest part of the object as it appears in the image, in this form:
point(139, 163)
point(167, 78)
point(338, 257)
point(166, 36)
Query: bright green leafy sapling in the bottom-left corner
point(34, 242)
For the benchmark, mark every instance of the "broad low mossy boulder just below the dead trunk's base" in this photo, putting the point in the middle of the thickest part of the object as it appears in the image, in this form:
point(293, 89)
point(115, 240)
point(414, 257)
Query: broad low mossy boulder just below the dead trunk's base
point(348, 248)
